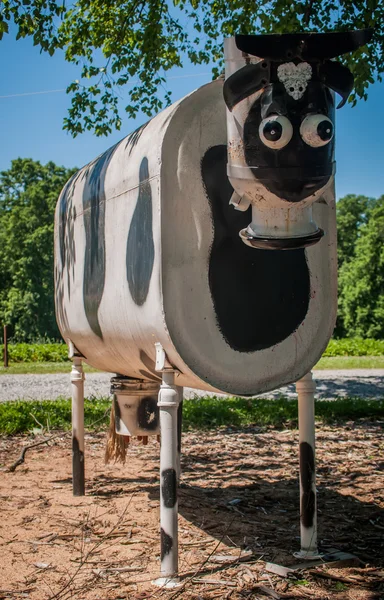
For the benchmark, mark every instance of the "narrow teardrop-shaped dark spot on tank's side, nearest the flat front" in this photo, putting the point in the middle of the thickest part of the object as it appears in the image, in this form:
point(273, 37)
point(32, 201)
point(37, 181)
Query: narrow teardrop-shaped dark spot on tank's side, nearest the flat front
point(140, 246)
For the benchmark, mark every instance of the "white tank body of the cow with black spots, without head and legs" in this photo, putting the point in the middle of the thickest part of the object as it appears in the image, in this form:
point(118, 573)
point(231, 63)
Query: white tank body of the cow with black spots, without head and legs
point(147, 250)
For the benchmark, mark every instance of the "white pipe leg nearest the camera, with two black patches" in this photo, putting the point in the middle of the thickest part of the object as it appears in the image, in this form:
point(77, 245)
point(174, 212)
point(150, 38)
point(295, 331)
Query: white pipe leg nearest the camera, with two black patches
point(169, 400)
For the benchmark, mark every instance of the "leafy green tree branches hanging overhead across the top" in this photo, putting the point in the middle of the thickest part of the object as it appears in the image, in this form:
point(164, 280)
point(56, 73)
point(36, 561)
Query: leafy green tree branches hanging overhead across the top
point(137, 41)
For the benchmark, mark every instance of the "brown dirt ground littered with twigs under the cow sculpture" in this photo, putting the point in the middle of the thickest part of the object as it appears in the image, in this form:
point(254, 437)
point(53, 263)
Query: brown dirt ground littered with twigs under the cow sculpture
point(239, 494)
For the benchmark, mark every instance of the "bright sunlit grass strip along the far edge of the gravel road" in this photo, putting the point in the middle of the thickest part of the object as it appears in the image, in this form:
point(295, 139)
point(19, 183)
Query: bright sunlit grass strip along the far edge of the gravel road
point(332, 362)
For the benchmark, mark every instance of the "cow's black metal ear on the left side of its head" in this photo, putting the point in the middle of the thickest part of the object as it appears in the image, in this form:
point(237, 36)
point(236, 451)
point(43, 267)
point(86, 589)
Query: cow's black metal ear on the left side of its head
point(246, 81)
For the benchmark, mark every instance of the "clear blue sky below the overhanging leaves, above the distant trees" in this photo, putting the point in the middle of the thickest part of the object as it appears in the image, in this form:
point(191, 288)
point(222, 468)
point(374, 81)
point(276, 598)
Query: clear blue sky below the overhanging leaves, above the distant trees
point(31, 124)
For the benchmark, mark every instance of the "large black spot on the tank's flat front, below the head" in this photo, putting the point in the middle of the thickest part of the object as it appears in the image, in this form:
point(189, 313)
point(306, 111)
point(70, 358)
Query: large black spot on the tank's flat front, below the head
point(260, 296)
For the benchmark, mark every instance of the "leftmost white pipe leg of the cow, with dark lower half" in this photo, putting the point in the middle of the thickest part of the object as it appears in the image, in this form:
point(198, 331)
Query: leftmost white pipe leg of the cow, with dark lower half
point(77, 385)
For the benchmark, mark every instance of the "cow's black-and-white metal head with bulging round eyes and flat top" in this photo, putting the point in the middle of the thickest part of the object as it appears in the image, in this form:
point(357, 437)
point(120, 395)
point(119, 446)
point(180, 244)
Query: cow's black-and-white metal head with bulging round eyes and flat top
point(279, 92)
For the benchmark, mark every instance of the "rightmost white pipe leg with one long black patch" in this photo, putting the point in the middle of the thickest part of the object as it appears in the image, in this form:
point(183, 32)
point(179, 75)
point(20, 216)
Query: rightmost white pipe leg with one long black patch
point(306, 388)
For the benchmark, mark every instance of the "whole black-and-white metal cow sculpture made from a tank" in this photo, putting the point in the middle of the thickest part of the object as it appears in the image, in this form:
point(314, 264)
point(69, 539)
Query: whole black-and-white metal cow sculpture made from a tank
point(160, 280)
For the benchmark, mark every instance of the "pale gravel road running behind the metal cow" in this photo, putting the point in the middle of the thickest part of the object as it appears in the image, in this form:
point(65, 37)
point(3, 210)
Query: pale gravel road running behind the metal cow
point(366, 383)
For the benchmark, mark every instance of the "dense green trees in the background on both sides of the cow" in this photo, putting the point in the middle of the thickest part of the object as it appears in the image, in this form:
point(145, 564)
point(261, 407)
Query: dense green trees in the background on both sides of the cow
point(28, 196)
